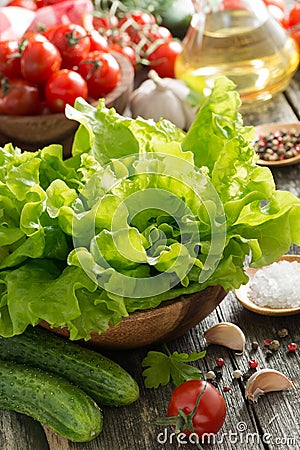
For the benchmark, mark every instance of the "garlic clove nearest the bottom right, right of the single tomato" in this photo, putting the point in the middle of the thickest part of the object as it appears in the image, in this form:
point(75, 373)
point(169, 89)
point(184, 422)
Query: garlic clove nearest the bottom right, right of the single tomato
point(266, 380)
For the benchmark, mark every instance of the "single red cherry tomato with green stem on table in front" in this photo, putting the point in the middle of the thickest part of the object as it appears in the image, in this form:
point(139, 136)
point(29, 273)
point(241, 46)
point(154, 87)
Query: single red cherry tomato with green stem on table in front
point(211, 411)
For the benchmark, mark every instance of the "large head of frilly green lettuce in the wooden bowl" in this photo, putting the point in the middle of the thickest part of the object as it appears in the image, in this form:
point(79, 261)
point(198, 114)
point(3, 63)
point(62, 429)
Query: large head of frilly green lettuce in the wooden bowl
point(141, 213)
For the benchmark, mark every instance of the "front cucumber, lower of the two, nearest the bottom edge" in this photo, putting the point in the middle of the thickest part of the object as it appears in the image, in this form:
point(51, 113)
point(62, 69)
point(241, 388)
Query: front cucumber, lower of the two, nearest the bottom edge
point(51, 400)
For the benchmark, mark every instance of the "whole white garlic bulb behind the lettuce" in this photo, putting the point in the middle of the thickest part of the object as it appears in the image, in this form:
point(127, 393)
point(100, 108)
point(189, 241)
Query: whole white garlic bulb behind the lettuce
point(162, 98)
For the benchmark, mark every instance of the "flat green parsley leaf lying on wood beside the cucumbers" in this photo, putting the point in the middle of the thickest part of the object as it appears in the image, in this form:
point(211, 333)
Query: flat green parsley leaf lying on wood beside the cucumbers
point(160, 368)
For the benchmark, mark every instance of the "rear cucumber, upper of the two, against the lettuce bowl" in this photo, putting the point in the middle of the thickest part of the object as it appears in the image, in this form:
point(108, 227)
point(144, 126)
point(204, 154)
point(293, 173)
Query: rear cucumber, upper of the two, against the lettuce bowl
point(104, 380)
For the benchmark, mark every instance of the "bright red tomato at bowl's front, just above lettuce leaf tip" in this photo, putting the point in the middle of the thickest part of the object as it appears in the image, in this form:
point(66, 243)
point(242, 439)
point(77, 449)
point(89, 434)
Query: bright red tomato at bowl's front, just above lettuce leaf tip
point(63, 87)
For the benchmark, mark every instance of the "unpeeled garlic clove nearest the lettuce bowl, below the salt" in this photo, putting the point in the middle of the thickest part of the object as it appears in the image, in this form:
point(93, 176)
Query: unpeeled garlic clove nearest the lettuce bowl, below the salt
point(226, 334)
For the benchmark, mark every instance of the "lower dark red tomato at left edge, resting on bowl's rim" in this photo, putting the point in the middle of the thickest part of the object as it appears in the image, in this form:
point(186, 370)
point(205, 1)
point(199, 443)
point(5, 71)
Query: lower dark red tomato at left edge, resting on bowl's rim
point(19, 97)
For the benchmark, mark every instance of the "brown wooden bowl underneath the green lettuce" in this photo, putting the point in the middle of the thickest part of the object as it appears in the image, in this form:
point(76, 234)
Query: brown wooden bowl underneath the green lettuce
point(164, 323)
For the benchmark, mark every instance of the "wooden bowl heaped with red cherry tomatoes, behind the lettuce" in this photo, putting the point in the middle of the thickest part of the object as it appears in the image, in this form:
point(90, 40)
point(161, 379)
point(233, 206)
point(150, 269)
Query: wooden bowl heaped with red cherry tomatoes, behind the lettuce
point(40, 75)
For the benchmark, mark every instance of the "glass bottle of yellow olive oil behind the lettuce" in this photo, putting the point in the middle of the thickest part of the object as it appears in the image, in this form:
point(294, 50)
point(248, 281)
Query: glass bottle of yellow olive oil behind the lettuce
point(246, 45)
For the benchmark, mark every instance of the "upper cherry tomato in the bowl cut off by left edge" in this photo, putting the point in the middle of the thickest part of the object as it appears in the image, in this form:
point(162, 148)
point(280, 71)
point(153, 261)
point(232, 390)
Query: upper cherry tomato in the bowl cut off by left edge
point(10, 59)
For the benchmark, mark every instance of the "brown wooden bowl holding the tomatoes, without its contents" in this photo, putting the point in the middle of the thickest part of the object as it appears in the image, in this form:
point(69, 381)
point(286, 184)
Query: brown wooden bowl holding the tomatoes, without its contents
point(33, 132)
